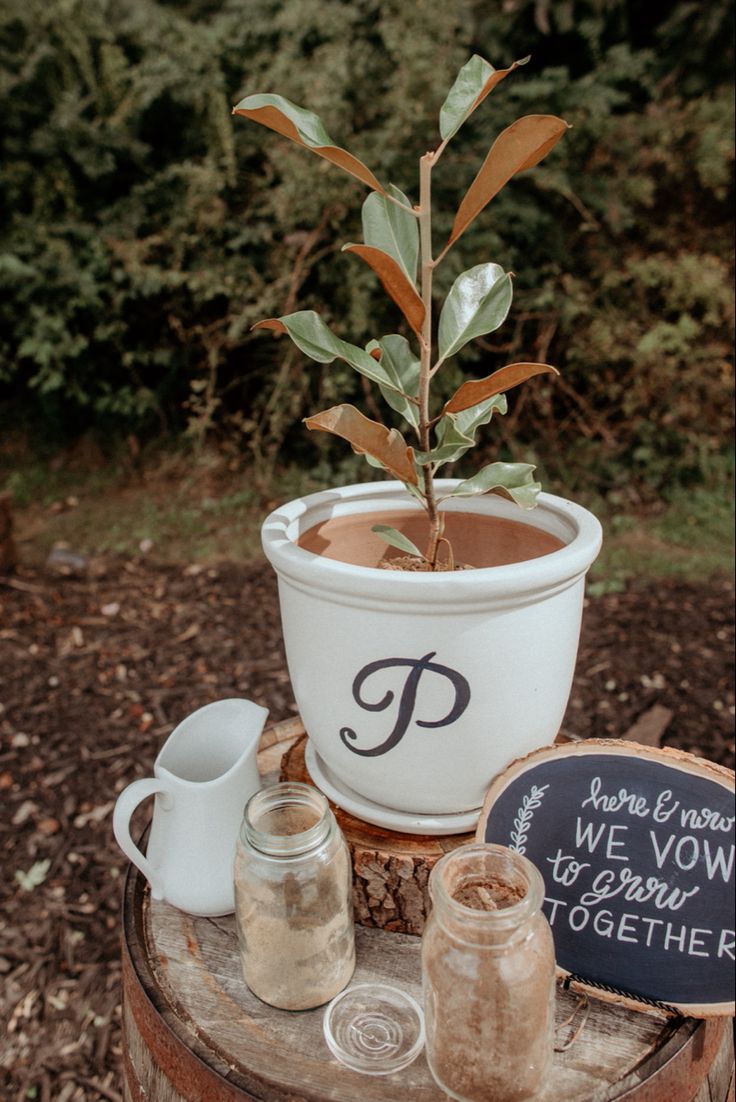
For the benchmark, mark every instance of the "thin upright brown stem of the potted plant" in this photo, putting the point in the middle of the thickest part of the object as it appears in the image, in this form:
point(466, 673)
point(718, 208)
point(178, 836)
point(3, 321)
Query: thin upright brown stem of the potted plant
point(426, 361)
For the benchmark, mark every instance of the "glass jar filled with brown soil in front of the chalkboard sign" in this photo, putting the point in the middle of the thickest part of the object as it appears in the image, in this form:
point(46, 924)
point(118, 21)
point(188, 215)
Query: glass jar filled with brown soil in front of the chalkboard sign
point(489, 976)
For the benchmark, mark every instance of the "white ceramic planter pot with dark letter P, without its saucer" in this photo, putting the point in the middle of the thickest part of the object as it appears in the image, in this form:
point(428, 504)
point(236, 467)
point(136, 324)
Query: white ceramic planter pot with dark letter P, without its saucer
point(417, 689)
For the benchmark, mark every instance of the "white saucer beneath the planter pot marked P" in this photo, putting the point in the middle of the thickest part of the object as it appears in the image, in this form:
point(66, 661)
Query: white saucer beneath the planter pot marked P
point(405, 823)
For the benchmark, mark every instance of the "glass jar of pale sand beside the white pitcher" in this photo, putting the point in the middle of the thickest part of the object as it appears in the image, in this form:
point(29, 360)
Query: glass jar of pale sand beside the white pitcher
point(294, 899)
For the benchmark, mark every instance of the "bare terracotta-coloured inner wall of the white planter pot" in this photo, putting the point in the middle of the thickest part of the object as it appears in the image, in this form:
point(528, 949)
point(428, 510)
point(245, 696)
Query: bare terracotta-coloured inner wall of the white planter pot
point(478, 541)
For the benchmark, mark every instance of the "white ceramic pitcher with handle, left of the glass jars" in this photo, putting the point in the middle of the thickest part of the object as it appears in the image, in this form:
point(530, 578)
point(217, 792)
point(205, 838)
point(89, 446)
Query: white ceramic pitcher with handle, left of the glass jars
point(202, 780)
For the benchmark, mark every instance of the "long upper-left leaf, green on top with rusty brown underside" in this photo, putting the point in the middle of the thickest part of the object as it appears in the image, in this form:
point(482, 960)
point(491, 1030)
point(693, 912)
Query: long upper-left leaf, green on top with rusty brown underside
point(307, 129)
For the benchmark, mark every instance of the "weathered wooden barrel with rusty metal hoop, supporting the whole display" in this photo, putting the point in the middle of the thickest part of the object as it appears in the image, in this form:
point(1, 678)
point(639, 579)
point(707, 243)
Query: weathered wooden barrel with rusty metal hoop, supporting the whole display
point(192, 1025)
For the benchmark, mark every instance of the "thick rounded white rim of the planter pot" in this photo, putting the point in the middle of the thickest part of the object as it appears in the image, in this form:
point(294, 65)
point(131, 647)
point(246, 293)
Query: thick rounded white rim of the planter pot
point(579, 528)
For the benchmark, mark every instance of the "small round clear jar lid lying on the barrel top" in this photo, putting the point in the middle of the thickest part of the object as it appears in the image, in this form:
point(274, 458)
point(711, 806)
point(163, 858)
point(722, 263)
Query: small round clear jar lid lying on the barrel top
point(374, 1029)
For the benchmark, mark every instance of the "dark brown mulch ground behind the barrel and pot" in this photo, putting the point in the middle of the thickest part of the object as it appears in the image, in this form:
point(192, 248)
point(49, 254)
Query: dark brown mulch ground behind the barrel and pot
point(98, 671)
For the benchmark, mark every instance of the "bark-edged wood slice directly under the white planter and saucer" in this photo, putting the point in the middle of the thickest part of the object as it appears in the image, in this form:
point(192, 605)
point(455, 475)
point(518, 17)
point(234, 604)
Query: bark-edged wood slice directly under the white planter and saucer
point(391, 871)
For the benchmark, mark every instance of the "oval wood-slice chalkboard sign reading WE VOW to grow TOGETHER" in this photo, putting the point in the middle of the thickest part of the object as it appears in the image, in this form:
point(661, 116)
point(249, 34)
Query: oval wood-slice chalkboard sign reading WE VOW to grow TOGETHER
point(636, 848)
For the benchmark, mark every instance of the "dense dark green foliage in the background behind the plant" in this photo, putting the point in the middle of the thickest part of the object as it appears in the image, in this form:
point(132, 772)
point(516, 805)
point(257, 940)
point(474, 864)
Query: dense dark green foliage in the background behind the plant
point(144, 231)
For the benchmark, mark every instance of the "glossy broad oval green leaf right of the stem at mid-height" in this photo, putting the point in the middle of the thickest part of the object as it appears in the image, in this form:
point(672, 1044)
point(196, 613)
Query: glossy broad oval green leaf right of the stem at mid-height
point(479, 302)
